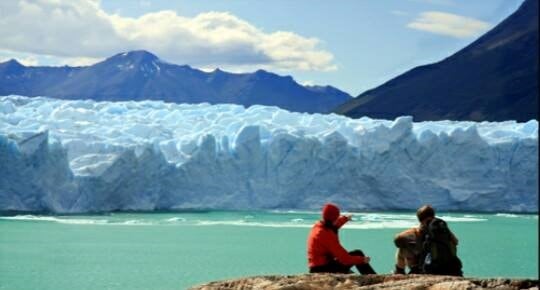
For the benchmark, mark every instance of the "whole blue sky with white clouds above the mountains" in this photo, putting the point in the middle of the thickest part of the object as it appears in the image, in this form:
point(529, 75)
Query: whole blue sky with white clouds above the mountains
point(354, 45)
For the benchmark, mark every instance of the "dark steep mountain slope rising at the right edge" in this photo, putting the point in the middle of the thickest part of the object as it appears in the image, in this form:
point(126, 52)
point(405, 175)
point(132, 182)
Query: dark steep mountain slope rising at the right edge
point(495, 78)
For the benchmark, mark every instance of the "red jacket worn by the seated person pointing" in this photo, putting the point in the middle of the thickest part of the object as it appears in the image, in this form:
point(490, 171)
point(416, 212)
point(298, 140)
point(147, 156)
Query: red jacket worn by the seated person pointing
point(323, 245)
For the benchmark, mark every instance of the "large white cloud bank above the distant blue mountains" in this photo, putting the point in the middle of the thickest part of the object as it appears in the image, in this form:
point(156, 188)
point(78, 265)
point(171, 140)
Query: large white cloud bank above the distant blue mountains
point(80, 29)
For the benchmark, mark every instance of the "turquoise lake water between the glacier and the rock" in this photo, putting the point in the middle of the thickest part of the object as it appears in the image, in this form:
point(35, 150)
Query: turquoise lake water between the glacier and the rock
point(178, 250)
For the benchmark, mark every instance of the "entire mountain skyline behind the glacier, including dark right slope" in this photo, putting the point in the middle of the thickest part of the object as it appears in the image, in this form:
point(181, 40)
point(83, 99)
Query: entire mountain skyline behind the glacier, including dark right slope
point(494, 79)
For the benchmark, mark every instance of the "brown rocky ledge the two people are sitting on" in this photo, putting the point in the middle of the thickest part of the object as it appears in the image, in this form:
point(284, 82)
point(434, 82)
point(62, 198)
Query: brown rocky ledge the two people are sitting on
point(343, 281)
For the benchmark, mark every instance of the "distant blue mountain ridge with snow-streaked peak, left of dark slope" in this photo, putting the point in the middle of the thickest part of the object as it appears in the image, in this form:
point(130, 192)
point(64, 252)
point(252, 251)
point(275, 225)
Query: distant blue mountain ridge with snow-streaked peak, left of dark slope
point(140, 75)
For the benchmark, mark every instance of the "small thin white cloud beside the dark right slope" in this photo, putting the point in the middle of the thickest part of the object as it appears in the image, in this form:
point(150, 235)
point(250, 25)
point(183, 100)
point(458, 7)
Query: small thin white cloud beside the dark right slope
point(448, 24)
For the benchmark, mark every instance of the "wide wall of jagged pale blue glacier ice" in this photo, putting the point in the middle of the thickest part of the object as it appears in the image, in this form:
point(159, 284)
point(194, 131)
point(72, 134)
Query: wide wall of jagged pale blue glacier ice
point(86, 156)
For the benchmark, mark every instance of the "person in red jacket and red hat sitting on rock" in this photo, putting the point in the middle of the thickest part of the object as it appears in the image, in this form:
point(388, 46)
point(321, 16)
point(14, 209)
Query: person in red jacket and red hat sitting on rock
point(325, 253)
